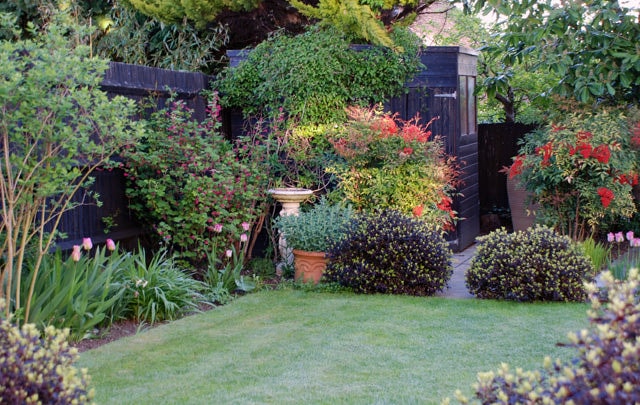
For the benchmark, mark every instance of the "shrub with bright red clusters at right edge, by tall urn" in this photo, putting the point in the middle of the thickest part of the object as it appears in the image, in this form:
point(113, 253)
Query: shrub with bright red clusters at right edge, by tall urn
point(581, 171)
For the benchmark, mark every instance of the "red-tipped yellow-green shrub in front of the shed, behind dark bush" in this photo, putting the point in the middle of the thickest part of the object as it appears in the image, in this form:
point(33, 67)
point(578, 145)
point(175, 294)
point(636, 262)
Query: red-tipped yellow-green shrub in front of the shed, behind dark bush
point(394, 164)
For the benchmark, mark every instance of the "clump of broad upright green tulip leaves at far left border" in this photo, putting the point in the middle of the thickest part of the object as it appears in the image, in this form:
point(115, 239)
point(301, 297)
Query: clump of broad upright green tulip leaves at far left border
point(76, 293)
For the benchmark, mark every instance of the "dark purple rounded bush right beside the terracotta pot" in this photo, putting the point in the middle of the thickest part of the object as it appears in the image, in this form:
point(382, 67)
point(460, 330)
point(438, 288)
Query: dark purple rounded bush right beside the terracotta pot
point(391, 253)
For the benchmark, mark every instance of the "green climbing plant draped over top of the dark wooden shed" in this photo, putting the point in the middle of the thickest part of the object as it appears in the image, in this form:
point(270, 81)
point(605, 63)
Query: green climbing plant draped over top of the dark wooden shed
point(314, 76)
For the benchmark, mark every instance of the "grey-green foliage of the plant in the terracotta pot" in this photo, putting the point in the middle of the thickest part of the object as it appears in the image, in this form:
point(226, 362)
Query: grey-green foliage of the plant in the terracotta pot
point(316, 229)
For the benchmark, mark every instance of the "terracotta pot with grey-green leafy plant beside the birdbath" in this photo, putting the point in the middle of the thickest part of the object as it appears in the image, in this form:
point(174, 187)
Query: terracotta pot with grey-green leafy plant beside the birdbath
point(310, 234)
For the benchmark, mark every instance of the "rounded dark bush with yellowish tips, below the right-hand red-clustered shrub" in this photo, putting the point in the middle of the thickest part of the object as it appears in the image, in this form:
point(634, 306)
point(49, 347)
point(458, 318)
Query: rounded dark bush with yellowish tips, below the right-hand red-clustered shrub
point(532, 265)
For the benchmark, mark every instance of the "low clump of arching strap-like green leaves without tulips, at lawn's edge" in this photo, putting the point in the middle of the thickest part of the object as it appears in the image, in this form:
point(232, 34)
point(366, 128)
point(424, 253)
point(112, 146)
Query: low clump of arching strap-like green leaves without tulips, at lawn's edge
point(155, 290)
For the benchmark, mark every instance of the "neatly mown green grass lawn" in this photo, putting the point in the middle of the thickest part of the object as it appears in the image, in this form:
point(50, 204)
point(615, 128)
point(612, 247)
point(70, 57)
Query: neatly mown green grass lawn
point(293, 346)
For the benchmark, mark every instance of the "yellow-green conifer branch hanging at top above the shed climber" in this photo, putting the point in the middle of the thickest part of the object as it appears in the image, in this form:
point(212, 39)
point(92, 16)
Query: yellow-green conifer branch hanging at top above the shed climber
point(349, 16)
